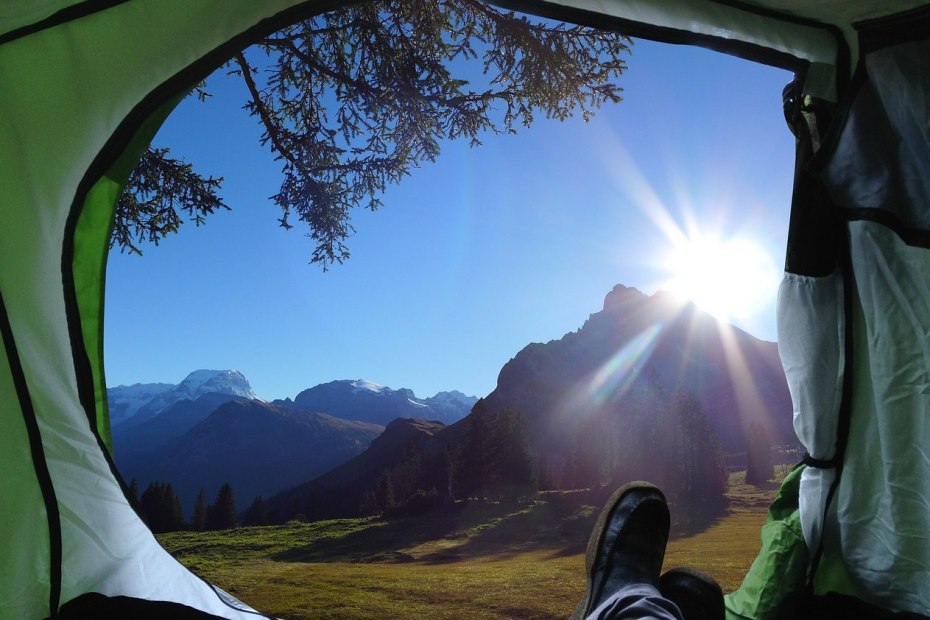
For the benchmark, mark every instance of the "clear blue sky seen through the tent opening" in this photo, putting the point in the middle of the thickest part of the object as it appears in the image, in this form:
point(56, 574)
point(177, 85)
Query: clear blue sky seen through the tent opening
point(472, 257)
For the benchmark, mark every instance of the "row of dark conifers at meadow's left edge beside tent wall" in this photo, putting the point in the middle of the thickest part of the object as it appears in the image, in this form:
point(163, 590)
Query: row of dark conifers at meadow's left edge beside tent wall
point(161, 509)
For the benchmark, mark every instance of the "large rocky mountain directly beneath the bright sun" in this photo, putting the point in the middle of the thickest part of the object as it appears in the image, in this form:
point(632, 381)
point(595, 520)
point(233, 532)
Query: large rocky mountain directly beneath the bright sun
point(638, 344)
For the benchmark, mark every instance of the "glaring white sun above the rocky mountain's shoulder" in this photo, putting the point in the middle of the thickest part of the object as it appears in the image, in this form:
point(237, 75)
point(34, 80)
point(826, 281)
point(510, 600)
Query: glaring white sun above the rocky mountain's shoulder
point(729, 278)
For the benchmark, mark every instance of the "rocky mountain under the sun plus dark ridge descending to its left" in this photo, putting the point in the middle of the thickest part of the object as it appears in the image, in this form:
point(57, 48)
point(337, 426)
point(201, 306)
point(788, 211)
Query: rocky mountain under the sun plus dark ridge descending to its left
point(623, 366)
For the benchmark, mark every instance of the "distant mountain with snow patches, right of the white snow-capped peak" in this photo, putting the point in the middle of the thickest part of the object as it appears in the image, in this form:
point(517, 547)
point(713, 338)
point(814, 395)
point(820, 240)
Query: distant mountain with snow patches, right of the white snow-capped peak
point(370, 402)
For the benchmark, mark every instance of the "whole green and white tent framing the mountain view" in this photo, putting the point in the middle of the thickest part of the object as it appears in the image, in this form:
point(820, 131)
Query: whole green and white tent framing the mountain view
point(85, 84)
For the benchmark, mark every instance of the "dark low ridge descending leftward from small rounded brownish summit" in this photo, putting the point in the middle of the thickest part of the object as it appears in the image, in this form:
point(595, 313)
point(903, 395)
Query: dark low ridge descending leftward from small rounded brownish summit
point(341, 491)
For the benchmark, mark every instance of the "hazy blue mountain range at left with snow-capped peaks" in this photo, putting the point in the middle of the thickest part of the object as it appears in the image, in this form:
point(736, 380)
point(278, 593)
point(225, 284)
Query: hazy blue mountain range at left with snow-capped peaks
point(211, 429)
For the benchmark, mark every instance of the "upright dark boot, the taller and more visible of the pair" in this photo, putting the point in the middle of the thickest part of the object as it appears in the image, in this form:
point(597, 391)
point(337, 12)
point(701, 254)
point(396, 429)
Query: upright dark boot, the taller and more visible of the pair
point(627, 545)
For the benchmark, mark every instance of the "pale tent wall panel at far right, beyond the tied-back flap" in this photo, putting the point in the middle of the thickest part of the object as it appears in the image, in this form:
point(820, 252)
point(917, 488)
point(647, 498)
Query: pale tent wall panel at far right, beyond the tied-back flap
point(876, 171)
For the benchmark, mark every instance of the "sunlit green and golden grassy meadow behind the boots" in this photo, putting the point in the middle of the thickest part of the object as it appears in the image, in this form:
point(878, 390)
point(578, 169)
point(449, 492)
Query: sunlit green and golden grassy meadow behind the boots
point(479, 562)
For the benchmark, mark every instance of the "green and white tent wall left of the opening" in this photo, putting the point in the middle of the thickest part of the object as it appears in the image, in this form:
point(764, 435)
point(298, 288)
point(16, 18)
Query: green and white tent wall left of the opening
point(77, 89)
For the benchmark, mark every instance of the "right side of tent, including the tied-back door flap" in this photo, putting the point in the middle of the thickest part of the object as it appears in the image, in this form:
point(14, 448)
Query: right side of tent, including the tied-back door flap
point(853, 332)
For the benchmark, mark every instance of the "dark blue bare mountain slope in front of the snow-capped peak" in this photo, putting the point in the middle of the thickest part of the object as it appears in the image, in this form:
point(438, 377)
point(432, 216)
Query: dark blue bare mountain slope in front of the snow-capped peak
point(259, 448)
